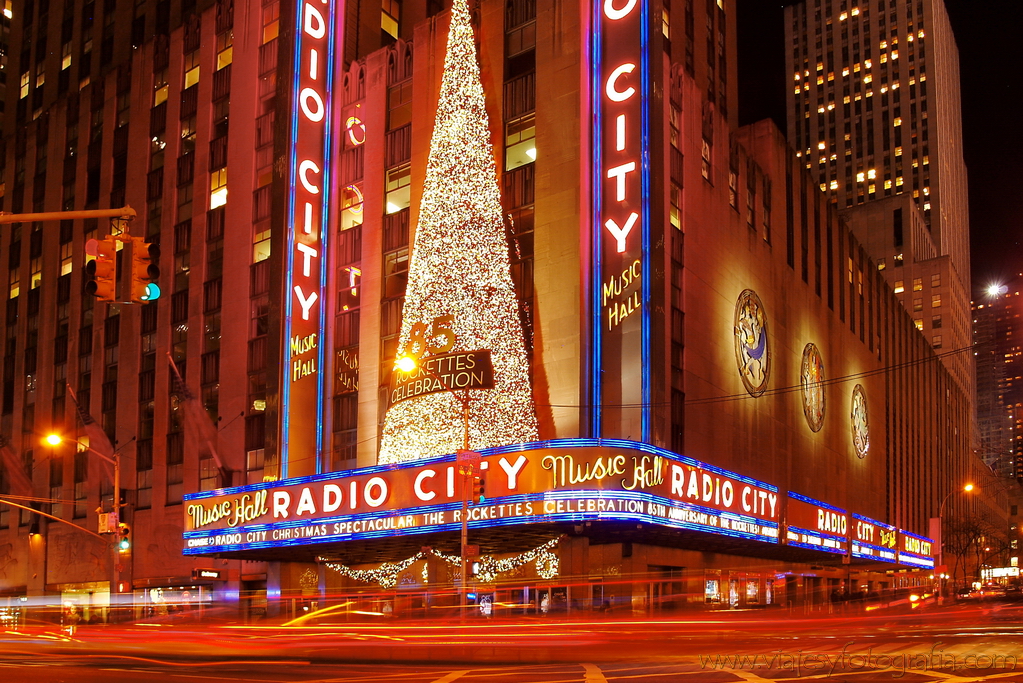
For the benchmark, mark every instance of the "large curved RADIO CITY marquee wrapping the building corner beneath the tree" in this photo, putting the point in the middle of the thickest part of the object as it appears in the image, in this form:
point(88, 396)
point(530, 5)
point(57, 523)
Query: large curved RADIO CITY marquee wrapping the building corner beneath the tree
point(549, 482)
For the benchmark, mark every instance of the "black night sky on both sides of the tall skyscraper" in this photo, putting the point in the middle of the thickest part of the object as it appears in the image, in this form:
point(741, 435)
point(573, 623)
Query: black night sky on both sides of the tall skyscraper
point(992, 75)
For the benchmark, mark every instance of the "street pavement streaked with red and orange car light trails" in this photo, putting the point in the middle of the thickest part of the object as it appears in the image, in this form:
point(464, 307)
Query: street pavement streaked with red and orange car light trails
point(972, 643)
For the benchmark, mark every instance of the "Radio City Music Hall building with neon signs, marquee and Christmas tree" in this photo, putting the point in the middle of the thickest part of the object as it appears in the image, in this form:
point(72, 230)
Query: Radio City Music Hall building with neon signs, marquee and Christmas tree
point(684, 374)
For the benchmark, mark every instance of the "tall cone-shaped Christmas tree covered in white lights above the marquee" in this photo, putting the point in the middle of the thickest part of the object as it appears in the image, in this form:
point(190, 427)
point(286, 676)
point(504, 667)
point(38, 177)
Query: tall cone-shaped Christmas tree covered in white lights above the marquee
point(460, 267)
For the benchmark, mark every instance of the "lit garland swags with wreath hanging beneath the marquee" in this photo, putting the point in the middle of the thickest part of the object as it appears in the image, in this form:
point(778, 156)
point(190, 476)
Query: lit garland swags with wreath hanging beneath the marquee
point(488, 568)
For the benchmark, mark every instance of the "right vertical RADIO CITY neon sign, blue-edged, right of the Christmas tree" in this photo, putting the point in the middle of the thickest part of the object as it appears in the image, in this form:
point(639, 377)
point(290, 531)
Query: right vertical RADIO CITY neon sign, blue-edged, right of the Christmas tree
point(621, 230)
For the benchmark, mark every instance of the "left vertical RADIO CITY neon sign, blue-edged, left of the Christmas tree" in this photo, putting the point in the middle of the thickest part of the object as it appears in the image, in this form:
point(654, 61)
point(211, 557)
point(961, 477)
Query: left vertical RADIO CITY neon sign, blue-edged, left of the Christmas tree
point(308, 229)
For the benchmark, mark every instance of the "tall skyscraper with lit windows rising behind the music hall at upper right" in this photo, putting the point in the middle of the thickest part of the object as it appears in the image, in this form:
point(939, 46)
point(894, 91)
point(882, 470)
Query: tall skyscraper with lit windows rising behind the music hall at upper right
point(874, 113)
